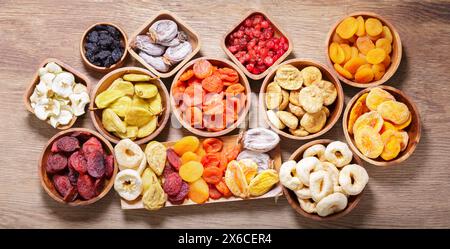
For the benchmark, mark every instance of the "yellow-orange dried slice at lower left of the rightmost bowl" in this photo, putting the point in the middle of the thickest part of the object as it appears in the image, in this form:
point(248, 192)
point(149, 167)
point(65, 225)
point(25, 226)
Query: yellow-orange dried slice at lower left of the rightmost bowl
point(369, 141)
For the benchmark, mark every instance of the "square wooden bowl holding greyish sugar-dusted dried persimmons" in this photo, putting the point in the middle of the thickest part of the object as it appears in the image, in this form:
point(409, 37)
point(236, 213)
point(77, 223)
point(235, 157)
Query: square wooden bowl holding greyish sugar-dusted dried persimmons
point(182, 26)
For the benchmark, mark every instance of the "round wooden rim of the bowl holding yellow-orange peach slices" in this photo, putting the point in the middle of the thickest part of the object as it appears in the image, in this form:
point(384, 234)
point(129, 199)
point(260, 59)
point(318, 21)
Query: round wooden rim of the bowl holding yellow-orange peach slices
point(416, 115)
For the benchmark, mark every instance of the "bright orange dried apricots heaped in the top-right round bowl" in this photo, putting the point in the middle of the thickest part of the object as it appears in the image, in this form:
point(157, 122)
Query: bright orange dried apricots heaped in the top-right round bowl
point(361, 49)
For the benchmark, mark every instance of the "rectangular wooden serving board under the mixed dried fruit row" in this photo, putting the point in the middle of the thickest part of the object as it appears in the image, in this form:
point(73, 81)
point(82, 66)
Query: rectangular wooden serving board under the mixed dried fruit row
point(228, 142)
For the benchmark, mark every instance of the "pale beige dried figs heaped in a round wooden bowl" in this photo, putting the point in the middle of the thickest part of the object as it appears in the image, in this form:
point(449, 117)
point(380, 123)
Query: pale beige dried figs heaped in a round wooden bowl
point(297, 100)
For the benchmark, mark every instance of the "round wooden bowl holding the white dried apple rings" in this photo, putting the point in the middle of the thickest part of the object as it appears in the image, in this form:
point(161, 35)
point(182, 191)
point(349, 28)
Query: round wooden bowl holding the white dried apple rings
point(353, 200)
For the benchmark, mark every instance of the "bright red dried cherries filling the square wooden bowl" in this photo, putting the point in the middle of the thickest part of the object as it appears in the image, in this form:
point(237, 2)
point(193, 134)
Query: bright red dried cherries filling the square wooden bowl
point(256, 45)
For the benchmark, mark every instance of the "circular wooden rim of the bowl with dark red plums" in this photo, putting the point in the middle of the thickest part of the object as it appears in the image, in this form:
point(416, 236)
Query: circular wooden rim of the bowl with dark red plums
point(80, 202)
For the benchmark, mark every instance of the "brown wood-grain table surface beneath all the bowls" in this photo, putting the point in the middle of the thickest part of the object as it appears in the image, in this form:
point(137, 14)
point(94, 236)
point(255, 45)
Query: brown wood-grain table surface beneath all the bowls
point(413, 194)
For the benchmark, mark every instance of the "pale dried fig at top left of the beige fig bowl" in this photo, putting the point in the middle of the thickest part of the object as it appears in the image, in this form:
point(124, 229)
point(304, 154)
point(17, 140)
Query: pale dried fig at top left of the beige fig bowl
point(289, 77)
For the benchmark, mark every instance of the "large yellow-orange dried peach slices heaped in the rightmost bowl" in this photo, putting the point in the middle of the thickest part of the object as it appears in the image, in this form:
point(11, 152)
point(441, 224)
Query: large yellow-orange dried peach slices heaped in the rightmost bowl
point(377, 122)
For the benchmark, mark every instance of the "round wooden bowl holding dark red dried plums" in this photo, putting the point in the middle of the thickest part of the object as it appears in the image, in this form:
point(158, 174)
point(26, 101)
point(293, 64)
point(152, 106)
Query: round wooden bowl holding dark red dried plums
point(46, 182)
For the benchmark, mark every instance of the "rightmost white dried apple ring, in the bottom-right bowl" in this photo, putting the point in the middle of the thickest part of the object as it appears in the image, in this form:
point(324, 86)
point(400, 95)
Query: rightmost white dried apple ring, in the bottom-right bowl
point(353, 179)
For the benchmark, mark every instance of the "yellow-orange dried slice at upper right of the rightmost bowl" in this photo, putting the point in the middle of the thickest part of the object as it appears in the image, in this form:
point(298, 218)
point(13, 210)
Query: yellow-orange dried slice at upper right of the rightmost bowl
point(394, 111)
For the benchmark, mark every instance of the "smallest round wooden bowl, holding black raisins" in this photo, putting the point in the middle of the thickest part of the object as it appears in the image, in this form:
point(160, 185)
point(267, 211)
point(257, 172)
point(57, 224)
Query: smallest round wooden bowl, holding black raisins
point(90, 65)
